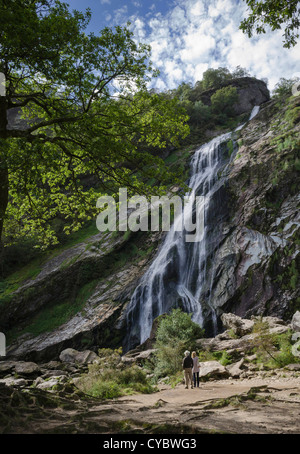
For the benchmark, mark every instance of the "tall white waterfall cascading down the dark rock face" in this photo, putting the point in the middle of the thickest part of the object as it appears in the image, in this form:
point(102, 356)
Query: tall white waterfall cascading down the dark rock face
point(176, 277)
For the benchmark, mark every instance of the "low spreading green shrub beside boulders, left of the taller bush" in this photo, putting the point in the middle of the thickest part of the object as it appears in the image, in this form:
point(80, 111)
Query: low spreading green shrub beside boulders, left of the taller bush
point(110, 378)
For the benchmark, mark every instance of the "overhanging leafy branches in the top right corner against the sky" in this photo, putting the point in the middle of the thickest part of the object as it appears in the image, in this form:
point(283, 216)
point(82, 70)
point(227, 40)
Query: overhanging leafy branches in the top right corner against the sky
point(275, 14)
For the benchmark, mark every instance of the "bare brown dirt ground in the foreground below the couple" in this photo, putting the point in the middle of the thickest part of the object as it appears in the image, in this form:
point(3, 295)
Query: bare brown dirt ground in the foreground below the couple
point(255, 406)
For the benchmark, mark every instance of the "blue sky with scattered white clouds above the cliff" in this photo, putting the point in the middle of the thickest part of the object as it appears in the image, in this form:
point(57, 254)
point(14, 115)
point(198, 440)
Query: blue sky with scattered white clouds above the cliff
point(189, 36)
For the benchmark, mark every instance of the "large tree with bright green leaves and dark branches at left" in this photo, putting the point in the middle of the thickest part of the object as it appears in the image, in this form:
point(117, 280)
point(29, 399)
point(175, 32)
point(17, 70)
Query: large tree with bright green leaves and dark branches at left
point(83, 109)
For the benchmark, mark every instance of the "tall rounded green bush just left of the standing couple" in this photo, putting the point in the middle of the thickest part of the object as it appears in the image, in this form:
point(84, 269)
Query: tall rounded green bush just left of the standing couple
point(176, 332)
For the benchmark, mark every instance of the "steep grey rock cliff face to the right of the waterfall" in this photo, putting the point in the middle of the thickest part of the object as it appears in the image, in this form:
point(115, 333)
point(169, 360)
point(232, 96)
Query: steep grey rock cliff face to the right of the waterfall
point(255, 267)
